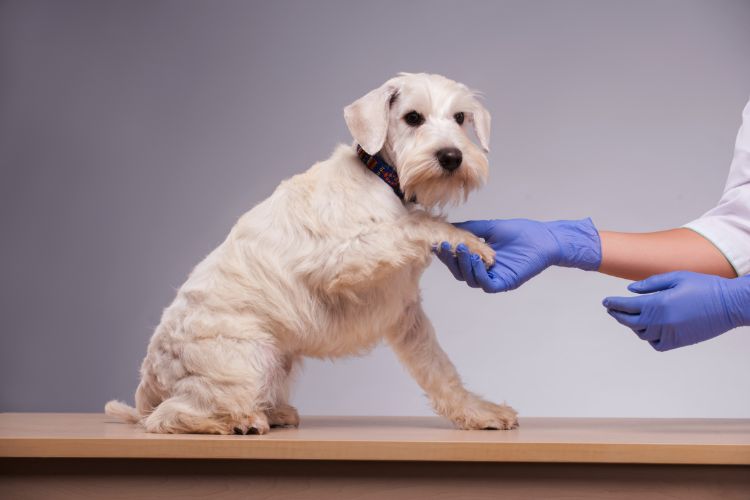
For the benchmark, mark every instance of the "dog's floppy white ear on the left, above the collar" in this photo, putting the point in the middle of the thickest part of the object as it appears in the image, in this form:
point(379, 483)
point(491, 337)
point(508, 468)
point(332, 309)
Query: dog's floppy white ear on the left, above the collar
point(367, 117)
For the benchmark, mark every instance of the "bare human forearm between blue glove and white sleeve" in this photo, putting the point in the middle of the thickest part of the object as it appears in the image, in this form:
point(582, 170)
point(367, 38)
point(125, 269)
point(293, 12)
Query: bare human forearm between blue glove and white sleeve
point(639, 255)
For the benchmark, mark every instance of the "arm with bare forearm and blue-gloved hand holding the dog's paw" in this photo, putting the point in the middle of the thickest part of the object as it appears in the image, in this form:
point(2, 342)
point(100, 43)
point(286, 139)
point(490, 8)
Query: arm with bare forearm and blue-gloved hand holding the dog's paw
point(524, 248)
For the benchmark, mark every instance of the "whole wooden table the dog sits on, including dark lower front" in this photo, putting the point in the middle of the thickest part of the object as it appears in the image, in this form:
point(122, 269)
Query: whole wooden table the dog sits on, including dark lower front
point(90, 455)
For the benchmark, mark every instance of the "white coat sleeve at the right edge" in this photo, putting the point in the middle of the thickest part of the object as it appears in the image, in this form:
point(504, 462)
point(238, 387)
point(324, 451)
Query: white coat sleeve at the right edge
point(728, 224)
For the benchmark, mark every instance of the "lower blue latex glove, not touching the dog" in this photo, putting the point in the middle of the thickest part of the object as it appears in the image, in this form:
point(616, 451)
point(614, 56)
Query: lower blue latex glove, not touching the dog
point(682, 308)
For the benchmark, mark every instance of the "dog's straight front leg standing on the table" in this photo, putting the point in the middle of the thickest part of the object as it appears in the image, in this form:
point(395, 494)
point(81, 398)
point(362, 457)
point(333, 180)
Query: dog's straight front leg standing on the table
point(418, 349)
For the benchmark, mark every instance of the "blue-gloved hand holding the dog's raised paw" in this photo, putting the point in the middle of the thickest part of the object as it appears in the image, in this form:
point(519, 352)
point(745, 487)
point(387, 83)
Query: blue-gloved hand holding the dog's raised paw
point(523, 249)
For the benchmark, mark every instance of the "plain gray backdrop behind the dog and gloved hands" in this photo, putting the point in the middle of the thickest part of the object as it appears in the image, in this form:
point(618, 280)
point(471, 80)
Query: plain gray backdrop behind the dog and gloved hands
point(133, 134)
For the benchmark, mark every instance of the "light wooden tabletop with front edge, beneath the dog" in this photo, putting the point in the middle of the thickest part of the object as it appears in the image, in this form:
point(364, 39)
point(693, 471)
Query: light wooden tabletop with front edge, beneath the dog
point(591, 440)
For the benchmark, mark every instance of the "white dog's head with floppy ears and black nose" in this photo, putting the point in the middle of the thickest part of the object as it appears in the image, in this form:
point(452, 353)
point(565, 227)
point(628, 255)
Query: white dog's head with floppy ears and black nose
point(417, 123)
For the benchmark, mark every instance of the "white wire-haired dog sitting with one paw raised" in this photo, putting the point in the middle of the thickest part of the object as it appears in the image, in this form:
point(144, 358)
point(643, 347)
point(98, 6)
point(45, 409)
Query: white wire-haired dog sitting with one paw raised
point(328, 266)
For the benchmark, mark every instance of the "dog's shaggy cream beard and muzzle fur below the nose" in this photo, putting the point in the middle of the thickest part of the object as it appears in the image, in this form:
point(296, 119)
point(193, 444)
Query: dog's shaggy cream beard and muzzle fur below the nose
point(421, 176)
